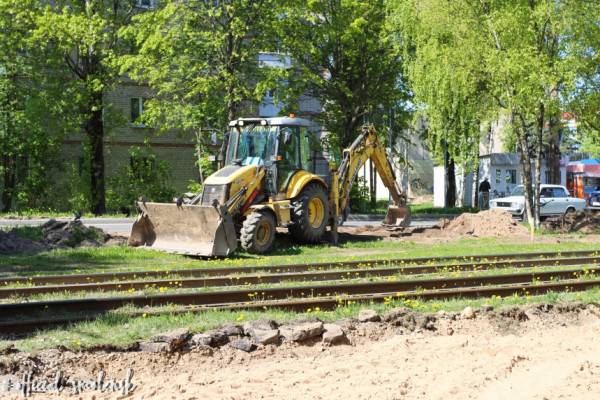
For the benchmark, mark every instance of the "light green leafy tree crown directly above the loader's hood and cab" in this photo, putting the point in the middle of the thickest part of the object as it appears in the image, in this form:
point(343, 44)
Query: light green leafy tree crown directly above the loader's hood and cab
point(201, 60)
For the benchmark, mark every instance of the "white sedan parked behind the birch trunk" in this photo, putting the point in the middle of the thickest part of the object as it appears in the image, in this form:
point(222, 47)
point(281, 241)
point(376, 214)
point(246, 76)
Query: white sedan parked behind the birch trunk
point(554, 200)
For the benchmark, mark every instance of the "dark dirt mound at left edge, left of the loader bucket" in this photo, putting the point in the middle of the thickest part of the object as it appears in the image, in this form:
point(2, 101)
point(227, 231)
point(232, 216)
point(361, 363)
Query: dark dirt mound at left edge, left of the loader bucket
point(58, 235)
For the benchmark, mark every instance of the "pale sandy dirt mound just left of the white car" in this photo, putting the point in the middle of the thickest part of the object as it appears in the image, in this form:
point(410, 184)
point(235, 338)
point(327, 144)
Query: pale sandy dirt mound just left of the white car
point(492, 222)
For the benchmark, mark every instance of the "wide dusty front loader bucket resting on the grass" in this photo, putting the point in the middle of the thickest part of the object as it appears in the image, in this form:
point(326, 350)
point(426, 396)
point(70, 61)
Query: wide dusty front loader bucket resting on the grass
point(186, 229)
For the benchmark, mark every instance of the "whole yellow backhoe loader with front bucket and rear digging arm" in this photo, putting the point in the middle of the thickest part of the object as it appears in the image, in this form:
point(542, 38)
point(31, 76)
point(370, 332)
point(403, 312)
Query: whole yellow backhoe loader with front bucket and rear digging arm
point(275, 175)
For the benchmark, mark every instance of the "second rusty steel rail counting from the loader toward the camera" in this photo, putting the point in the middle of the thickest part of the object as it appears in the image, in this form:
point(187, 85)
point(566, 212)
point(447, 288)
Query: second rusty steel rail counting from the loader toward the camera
point(220, 281)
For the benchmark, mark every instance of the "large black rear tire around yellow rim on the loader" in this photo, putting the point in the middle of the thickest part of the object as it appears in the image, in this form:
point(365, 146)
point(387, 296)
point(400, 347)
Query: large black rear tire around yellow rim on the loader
point(304, 228)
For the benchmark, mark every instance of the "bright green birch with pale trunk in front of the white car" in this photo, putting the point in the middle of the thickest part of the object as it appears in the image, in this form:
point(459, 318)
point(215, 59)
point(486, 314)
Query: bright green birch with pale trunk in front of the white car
point(528, 56)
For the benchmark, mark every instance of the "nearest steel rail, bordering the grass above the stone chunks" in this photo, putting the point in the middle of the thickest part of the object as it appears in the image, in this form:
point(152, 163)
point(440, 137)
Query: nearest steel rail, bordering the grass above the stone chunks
point(324, 302)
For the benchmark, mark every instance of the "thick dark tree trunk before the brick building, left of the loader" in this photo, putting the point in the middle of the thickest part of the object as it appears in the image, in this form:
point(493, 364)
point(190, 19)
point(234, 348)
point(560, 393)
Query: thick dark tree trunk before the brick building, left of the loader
point(94, 127)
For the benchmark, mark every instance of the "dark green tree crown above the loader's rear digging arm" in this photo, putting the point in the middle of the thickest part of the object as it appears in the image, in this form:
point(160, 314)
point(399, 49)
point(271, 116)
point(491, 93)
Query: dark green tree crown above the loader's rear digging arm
point(345, 56)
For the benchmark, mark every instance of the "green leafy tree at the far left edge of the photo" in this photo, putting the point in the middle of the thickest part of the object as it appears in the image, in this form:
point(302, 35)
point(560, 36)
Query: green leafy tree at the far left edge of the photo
point(31, 119)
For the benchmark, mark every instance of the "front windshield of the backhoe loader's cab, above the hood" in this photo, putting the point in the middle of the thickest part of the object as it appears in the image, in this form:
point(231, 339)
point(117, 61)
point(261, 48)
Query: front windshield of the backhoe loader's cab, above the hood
point(252, 144)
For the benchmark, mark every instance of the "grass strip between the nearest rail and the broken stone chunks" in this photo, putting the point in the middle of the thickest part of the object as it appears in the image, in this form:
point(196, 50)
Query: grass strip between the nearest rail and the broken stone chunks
point(118, 329)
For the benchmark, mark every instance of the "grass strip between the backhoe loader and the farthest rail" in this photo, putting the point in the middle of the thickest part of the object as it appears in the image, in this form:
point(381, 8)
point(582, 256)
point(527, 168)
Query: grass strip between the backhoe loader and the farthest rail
point(116, 259)
